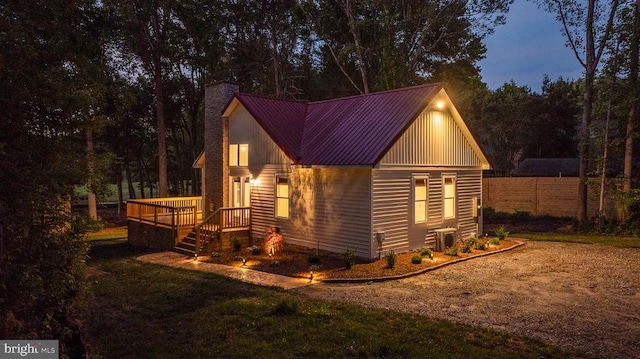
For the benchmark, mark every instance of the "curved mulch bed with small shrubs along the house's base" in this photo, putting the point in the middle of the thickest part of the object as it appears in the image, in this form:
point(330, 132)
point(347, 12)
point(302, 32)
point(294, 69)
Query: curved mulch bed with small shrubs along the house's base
point(299, 263)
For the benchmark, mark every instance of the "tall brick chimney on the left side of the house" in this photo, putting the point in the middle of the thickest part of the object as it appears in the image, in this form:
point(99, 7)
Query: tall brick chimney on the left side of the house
point(216, 145)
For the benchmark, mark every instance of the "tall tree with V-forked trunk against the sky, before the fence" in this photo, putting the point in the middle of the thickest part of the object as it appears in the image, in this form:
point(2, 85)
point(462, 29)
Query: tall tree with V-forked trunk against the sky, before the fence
point(595, 23)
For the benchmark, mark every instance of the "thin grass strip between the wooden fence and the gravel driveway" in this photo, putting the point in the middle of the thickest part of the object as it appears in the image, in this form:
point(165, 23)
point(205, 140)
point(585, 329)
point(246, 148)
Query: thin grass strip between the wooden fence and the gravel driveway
point(600, 239)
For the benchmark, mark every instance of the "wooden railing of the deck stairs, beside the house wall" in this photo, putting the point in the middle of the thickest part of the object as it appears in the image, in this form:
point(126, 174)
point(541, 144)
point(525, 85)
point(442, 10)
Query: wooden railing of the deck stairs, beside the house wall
point(220, 220)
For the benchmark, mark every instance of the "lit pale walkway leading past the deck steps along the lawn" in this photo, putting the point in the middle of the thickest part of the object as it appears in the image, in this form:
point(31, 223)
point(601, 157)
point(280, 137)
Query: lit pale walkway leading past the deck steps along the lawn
point(177, 260)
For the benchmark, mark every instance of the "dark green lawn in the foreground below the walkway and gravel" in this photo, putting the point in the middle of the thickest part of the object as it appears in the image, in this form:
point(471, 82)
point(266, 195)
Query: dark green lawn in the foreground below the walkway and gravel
point(141, 310)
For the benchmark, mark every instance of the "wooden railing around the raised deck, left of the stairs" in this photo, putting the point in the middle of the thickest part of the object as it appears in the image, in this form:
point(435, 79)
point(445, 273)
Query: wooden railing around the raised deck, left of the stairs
point(176, 212)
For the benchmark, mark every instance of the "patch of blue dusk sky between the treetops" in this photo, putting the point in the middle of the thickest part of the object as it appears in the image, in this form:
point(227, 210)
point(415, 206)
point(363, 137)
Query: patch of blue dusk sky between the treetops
point(529, 46)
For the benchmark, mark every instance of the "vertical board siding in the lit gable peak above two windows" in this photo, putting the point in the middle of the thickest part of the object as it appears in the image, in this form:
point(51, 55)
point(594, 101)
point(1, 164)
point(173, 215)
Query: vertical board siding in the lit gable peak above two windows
point(434, 139)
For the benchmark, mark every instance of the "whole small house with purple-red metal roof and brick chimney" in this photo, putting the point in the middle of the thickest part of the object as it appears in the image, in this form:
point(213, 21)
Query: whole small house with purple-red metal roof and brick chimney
point(395, 170)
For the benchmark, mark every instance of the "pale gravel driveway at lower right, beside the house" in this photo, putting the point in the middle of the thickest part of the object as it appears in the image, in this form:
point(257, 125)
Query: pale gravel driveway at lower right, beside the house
point(572, 295)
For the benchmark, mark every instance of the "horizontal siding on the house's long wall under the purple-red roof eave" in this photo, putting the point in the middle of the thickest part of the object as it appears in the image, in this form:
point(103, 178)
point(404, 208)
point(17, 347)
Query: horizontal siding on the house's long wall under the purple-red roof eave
point(329, 208)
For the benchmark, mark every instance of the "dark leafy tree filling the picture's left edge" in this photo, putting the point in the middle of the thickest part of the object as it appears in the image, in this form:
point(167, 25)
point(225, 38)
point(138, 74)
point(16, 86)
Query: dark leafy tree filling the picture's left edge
point(41, 248)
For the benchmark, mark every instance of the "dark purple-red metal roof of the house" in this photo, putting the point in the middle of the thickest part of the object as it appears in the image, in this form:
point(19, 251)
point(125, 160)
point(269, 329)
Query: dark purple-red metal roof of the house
point(355, 130)
